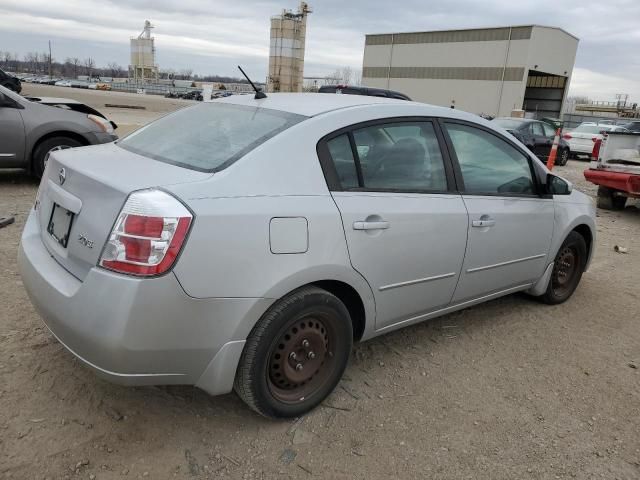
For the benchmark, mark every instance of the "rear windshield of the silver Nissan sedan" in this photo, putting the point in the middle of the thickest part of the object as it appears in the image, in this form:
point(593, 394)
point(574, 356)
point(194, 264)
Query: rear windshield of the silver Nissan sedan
point(210, 136)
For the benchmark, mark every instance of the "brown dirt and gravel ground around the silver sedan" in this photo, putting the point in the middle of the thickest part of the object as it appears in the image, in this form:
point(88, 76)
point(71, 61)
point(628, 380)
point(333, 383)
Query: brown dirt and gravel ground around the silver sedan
point(511, 389)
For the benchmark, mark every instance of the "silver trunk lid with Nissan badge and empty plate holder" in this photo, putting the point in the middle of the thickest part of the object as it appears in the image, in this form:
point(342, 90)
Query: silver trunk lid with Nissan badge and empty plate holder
point(92, 183)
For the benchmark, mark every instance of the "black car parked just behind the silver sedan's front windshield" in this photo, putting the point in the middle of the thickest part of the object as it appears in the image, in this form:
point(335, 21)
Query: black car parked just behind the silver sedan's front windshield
point(538, 136)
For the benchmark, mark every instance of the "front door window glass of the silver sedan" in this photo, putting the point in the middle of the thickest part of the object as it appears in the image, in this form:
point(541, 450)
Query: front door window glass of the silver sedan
point(489, 164)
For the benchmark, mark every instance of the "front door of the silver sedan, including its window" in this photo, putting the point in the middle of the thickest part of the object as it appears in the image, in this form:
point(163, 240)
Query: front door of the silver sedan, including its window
point(510, 225)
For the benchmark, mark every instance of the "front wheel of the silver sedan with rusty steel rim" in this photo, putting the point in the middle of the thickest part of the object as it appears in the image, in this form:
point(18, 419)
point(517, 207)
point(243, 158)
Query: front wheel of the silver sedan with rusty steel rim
point(568, 267)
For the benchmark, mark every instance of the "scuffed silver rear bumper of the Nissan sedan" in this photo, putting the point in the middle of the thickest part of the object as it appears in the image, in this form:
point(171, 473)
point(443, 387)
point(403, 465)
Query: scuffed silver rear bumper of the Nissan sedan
point(136, 331)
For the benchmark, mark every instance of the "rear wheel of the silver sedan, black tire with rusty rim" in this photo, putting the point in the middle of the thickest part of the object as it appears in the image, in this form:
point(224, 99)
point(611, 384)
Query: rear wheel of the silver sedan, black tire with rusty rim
point(266, 366)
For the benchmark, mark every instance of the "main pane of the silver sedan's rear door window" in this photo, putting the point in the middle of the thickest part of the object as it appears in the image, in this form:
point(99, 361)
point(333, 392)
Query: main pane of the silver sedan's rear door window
point(400, 156)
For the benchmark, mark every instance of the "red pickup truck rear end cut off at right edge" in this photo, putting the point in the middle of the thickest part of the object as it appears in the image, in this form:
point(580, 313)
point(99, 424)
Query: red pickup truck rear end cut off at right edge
point(615, 168)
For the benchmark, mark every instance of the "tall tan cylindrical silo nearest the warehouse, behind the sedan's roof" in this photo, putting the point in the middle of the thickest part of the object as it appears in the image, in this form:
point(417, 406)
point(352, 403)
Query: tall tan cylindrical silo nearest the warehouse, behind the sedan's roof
point(286, 56)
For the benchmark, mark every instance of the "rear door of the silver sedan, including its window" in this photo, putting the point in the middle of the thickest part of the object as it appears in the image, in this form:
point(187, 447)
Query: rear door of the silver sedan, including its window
point(406, 227)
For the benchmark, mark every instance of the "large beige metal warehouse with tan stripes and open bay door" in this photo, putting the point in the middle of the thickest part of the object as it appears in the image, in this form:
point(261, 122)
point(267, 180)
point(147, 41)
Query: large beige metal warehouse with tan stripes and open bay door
point(489, 71)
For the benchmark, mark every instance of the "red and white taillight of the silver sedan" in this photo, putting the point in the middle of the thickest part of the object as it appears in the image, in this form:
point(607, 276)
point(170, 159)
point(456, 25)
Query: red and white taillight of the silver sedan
point(148, 234)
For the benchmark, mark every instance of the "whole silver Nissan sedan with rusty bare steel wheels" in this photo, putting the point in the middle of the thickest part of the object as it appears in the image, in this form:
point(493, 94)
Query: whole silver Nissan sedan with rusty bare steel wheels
point(246, 244)
